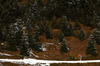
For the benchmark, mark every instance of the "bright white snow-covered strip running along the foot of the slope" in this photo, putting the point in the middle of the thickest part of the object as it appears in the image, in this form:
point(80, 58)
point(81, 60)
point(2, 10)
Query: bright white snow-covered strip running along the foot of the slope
point(44, 62)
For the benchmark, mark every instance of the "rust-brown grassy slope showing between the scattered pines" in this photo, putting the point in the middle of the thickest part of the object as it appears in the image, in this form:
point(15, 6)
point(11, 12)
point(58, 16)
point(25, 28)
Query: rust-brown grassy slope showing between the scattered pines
point(53, 51)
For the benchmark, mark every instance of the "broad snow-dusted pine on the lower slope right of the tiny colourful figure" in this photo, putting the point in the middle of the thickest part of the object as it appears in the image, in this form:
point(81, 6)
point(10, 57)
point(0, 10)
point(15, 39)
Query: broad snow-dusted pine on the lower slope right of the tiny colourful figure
point(91, 48)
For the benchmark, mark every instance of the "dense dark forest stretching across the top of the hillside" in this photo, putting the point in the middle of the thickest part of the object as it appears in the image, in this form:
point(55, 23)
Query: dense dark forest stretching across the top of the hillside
point(86, 11)
